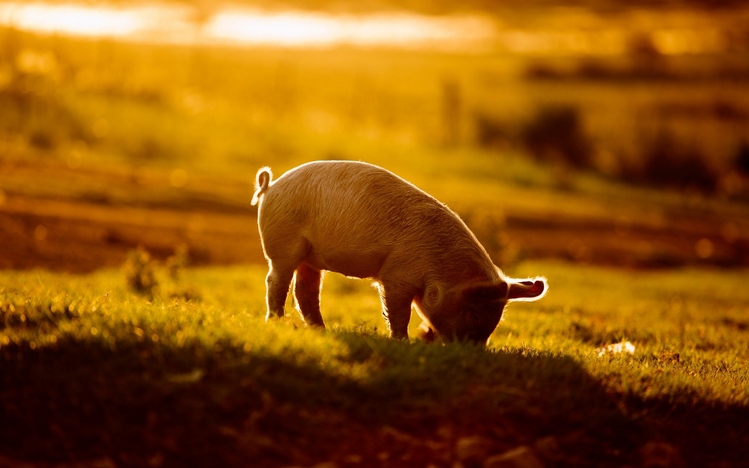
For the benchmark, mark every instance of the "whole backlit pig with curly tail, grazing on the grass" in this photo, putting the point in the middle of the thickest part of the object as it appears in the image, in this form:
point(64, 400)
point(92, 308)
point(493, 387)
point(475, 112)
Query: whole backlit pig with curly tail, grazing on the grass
point(363, 221)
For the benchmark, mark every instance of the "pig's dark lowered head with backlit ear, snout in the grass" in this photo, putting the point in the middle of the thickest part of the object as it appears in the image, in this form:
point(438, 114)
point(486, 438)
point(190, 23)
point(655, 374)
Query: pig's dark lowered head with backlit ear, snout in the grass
point(471, 313)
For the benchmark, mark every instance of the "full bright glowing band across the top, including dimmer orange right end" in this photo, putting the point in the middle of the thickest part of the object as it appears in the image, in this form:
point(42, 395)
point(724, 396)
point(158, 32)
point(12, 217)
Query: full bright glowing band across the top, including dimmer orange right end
point(242, 26)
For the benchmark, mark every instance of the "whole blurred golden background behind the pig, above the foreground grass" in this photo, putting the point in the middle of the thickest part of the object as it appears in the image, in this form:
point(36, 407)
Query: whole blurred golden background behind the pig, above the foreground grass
point(596, 131)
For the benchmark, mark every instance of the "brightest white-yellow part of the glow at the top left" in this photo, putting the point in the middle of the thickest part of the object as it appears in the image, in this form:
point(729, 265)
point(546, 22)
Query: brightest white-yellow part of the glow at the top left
point(242, 26)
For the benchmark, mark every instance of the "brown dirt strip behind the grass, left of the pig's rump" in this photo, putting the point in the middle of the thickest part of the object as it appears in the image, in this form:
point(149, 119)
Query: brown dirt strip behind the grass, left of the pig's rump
point(80, 237)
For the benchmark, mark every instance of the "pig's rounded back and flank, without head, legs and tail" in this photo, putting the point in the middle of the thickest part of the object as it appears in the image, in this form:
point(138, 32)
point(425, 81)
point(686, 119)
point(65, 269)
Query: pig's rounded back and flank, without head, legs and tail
point(355, 216)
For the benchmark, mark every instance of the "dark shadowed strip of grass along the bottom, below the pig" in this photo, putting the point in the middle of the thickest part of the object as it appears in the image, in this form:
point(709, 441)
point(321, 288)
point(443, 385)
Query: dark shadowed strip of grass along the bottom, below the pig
point(147, 403)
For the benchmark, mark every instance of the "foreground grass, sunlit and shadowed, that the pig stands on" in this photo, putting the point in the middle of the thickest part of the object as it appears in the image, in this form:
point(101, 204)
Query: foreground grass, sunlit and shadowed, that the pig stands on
point(95, 374)
